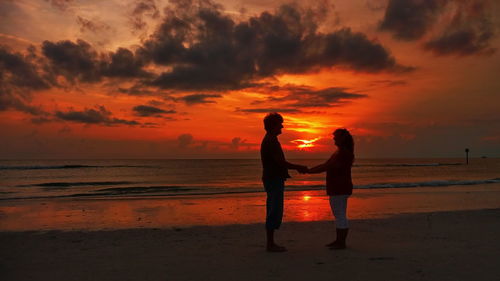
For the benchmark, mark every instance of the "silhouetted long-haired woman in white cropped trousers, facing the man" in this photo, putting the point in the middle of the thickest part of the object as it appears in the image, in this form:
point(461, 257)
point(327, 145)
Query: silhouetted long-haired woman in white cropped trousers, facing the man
point(339, 183)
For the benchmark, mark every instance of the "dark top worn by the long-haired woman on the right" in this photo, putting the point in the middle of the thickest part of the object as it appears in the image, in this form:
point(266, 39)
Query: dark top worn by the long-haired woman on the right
point(338, 173)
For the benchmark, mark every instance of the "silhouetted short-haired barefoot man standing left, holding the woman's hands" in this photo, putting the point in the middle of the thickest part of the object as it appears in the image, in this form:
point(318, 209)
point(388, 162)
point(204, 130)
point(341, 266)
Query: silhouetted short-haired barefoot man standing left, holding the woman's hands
point(275, 173)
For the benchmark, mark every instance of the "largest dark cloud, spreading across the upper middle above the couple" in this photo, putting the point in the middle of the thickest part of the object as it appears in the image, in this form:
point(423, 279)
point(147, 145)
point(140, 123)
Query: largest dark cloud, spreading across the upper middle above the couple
point(208, 50)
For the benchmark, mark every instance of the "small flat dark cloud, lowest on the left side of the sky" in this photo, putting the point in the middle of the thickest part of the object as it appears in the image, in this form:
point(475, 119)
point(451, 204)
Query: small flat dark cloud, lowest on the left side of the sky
point(98, 115)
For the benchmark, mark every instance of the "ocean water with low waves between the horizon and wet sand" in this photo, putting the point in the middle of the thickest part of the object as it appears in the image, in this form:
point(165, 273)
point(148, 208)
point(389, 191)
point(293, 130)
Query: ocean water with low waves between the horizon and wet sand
point(22, 179)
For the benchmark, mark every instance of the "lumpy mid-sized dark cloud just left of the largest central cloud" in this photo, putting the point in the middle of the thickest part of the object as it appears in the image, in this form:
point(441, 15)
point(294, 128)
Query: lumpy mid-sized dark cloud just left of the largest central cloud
point(79, 61)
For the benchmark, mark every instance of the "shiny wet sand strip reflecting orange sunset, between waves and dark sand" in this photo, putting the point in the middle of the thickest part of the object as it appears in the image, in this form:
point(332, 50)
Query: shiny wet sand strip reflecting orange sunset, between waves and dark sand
point(300, 206)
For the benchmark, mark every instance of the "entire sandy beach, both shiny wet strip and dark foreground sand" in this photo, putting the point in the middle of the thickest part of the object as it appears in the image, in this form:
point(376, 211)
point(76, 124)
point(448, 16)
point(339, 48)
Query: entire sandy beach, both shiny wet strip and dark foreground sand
point(427, 234)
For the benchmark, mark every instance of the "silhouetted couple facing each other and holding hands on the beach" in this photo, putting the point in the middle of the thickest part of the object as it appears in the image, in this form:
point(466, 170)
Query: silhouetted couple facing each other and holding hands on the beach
point(275, 173)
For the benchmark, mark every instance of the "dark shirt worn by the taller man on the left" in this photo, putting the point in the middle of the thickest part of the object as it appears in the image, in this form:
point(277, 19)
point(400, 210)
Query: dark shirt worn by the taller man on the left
point(273, 159)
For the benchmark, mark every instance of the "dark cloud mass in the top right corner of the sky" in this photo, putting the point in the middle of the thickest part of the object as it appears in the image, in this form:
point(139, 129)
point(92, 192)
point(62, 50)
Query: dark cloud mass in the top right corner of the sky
point(465, 27)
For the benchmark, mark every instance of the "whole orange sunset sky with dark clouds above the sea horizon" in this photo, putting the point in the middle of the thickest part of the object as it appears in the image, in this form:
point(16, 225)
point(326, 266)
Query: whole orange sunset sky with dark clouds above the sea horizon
point(194, 79)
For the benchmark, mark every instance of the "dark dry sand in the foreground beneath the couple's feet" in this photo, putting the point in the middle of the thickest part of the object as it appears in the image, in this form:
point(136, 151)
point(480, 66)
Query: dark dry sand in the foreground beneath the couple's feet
point(461, 245)
